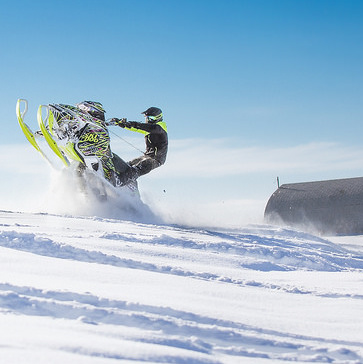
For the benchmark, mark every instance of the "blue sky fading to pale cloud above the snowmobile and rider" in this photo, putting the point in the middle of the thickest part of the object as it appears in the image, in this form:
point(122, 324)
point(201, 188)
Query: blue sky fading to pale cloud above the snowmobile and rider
point(268, 76)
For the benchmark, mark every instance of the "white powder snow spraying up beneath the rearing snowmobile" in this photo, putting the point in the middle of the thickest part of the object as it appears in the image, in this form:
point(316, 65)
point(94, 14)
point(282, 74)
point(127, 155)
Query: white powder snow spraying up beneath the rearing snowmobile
point(69, 194)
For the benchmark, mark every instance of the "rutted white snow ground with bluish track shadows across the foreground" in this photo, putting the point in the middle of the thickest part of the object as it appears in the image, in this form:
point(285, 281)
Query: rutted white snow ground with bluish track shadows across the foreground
point(97, 290)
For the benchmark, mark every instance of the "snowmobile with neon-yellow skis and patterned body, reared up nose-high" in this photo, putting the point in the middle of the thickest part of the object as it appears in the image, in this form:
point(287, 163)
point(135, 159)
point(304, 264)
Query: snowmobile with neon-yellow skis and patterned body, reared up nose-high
point(79, 140)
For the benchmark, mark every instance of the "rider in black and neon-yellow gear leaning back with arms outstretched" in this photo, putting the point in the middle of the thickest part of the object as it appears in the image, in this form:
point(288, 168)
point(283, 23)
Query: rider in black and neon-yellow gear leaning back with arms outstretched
point(156, 139)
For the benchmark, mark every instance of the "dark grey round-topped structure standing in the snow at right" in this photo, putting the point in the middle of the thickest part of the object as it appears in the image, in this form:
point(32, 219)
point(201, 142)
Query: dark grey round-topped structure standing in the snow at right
point(328, 207)
